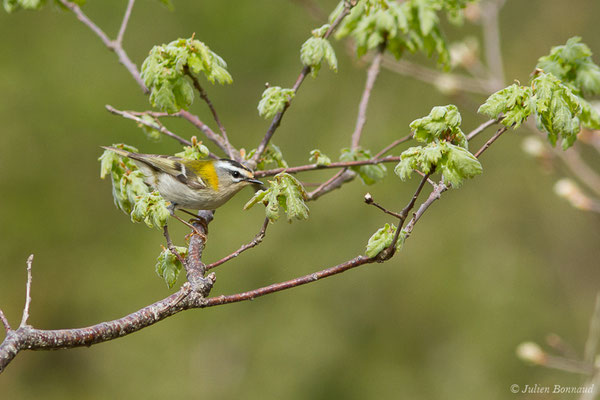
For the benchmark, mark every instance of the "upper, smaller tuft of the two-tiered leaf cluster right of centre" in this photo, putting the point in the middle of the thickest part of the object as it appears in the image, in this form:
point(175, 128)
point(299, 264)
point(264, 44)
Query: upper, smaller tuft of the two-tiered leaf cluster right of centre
point(442, 124)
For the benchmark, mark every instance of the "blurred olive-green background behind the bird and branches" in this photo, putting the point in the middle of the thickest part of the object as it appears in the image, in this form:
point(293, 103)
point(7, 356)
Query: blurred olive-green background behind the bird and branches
point(496, 263)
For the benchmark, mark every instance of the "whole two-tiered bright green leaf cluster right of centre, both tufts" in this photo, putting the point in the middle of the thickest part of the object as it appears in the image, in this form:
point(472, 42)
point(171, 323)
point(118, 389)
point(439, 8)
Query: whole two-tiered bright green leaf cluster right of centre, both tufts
point(445, 150)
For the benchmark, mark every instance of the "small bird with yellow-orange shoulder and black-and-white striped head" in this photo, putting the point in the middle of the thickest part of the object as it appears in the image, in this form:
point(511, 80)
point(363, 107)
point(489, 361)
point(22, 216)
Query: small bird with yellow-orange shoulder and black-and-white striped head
point(193, 184)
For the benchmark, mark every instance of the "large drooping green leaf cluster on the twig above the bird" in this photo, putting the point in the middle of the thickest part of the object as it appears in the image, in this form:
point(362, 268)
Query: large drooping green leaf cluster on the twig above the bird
point(164, 72)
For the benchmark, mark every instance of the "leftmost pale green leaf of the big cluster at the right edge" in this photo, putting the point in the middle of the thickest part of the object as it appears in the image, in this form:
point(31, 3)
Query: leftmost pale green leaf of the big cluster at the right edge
point(513, 102)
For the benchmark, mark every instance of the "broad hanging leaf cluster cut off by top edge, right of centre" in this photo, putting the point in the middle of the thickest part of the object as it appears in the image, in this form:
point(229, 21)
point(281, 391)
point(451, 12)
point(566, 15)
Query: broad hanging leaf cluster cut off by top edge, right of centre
point(411, 25)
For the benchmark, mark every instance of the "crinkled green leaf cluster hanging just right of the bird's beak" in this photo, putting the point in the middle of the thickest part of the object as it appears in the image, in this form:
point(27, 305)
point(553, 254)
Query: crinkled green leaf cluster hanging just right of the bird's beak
point(285, 192)
